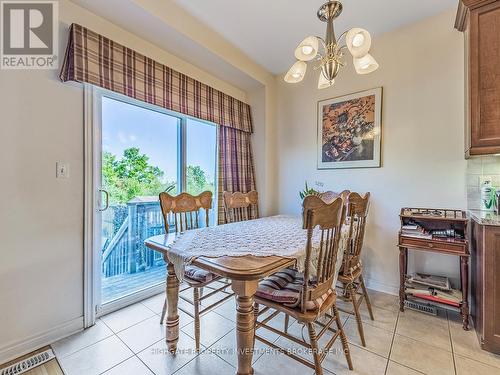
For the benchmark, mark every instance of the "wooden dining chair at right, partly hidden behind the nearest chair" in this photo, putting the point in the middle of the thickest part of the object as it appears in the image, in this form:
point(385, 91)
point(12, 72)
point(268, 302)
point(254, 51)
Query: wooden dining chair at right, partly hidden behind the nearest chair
point(352, 284)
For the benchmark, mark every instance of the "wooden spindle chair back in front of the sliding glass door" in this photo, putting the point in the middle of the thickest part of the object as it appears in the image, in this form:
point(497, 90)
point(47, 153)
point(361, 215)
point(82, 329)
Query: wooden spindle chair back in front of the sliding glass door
point(184, 209)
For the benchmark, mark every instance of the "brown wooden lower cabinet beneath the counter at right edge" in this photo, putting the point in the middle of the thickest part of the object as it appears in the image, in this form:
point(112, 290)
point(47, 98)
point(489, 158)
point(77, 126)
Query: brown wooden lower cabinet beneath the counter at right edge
point(485, 284)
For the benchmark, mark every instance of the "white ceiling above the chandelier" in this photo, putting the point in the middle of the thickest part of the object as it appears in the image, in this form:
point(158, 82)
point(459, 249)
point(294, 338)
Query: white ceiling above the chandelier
point(269, 30)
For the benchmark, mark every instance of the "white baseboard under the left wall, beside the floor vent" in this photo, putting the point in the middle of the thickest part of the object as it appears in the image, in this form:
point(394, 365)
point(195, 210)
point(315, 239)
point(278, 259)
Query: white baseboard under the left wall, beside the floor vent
point(15, 349)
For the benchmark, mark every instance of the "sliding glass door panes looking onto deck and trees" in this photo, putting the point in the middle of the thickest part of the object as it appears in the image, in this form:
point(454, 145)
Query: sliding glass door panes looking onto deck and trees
point(141, 151)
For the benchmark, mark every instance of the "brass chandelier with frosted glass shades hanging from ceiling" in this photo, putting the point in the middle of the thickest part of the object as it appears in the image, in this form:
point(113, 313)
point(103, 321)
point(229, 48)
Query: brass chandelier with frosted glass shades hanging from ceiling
point(357, 41)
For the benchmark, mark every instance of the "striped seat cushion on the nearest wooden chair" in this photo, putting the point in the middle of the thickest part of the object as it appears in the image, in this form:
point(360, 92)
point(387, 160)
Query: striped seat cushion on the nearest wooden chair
point(286, 287)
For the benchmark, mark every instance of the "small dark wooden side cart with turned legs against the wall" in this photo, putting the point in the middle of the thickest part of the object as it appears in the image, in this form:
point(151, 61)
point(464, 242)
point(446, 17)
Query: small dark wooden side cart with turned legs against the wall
point(432, 220)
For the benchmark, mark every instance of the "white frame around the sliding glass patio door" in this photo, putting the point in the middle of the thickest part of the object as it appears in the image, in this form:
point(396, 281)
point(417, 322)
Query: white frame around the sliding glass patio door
point(92, 200)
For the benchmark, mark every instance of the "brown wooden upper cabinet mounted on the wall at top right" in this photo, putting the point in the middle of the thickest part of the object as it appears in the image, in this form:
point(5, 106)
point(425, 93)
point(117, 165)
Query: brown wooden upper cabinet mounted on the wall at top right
point(480, 21)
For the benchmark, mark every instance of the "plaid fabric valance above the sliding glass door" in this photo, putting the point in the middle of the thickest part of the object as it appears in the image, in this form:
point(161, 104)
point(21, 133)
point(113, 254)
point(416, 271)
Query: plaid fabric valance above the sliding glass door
point(95, 59)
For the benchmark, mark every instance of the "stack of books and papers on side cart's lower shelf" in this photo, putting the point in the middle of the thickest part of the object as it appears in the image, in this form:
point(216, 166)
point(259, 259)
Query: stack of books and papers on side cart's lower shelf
point(433, 288)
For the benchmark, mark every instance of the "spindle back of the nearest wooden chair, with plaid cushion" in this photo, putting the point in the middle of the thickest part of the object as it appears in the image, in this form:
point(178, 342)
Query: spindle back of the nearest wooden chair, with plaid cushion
point(329, 218)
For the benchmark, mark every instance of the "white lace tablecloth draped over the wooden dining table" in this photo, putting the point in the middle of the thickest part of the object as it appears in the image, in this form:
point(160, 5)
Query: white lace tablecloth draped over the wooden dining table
point(275, 235)
